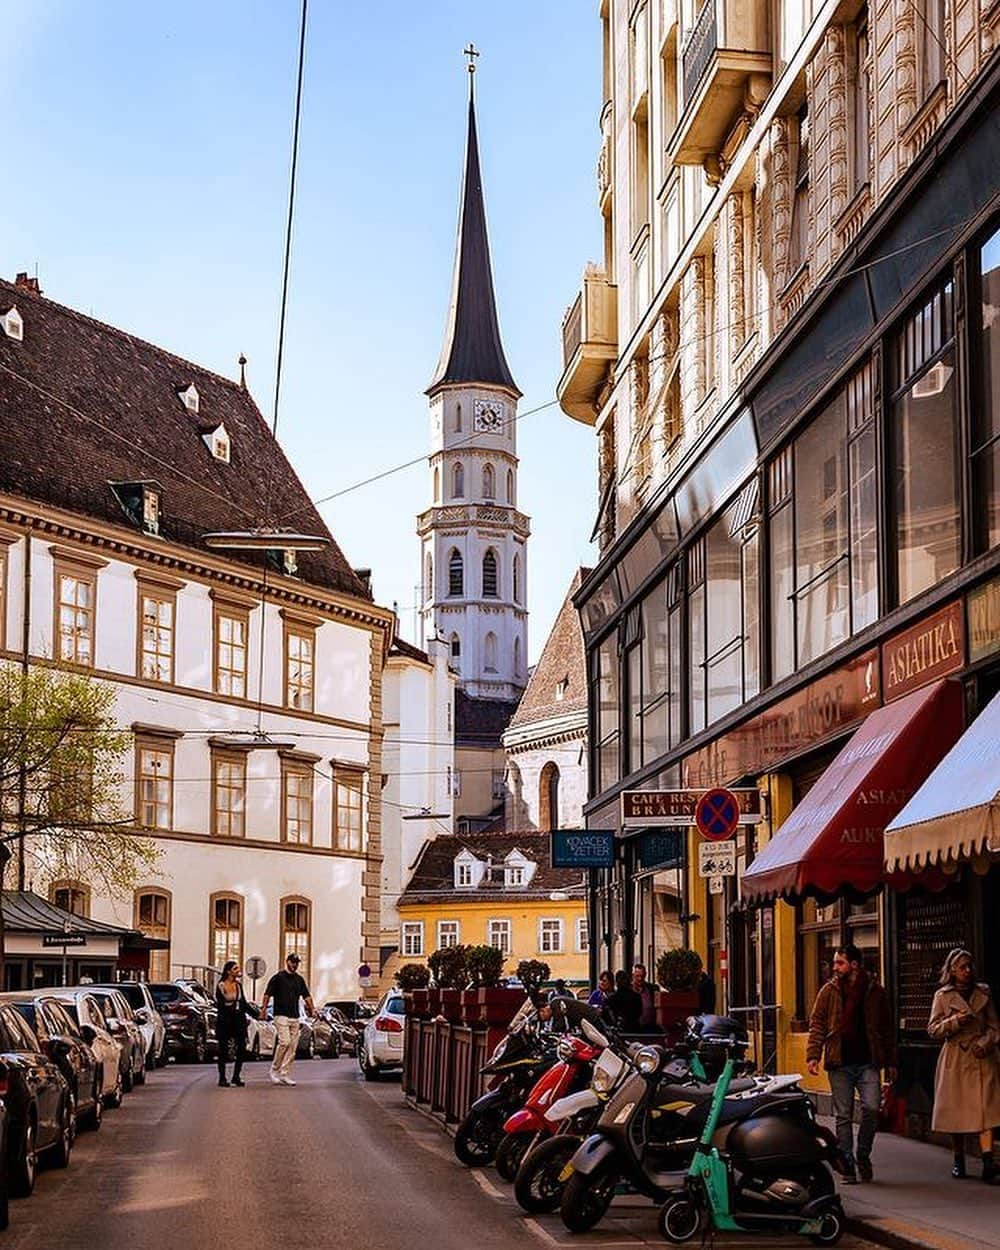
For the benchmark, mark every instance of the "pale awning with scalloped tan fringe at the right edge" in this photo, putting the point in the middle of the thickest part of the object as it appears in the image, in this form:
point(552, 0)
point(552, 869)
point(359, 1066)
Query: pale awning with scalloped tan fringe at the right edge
point(956, 814)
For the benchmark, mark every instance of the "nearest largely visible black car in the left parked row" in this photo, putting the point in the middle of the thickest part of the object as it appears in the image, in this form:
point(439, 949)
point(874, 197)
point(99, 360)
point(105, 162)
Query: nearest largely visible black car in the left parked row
point(42, 1114)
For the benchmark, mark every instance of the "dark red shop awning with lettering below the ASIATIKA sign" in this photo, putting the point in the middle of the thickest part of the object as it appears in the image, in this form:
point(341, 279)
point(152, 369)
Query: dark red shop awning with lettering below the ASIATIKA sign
point(833, 841)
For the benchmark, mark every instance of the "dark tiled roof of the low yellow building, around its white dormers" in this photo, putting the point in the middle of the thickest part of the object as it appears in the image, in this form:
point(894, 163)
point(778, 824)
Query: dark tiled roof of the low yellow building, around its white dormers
point(434, 872)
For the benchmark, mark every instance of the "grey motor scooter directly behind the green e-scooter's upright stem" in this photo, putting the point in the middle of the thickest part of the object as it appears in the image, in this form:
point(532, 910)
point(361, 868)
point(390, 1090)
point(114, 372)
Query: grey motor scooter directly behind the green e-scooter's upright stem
point(652, 1122)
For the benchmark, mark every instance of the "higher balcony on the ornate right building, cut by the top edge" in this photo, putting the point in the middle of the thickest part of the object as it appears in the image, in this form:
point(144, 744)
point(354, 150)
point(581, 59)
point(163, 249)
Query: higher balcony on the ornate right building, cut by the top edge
point(727, 68)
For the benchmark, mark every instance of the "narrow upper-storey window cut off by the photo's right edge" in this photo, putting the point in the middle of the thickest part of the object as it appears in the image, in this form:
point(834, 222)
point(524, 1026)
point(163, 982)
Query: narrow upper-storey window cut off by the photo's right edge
point(987, 412)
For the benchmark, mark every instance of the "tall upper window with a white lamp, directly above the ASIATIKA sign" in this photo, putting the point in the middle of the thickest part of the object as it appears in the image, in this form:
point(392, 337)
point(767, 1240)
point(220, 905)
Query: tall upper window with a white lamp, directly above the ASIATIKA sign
point(926, 436)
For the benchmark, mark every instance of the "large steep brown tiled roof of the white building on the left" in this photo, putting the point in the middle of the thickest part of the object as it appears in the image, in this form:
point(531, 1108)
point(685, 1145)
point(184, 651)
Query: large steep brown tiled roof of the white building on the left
point(83, 404)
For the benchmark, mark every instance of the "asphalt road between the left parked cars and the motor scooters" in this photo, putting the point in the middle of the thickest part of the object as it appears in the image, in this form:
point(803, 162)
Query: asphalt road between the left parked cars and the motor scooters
point(332, 1163)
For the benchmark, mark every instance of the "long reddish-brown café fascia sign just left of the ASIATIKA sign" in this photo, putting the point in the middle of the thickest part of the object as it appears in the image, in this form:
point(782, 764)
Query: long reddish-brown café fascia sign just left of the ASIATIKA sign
point(821, 711)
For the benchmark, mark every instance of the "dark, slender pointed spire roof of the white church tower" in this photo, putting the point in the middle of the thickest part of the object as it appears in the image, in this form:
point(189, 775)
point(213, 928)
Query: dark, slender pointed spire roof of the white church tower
point(473, 352)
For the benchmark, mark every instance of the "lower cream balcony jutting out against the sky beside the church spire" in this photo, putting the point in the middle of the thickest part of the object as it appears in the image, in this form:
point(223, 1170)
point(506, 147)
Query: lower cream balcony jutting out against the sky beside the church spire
point(589, 346)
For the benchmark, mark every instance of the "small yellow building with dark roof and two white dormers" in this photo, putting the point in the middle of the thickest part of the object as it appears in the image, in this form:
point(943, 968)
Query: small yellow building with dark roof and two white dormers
point(497, 891)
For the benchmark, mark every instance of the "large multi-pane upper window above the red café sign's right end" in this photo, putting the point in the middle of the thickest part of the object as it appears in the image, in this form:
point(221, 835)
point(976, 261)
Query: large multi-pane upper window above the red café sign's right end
point(823, 501)
